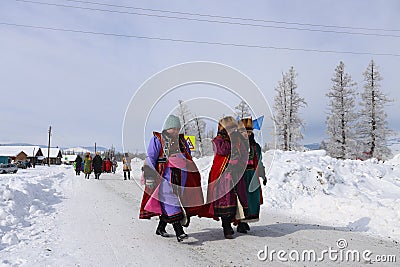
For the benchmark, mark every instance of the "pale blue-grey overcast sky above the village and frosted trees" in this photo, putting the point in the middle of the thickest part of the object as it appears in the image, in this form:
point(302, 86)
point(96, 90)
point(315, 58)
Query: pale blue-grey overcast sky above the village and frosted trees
point(81, 84)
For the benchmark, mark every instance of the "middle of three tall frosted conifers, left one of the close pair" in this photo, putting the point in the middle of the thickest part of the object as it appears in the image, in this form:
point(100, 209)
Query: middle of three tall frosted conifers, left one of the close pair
point(342, 117)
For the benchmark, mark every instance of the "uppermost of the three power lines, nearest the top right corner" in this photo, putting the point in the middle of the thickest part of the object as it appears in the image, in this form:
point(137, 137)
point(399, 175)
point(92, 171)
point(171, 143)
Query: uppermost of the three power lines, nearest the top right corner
point(235, 18)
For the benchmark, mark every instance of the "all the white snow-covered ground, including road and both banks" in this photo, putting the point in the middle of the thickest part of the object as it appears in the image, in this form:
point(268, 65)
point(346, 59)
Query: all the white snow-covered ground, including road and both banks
point(312, 203)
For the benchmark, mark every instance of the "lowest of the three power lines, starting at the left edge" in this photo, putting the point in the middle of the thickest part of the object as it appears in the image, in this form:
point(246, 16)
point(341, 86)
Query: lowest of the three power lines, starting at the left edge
point(196, 41)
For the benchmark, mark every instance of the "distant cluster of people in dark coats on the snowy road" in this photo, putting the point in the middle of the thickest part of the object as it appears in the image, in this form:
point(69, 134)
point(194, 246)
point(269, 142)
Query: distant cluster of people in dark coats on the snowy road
point(97, 165)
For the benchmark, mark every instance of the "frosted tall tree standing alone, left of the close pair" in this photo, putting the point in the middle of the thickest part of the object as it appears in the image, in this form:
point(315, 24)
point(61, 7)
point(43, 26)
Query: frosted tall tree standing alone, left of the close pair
point(286, 107)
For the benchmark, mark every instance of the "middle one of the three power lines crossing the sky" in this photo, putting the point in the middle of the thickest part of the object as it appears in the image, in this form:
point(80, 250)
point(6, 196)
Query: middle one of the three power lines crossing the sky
point(210, 21)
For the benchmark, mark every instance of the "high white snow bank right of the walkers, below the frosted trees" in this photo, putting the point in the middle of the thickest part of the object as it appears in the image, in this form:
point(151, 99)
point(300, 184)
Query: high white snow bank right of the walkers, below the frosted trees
point(363, 195)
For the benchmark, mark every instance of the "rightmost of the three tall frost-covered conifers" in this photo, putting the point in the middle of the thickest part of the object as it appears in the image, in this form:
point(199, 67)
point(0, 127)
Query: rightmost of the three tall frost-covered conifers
point(373, 127)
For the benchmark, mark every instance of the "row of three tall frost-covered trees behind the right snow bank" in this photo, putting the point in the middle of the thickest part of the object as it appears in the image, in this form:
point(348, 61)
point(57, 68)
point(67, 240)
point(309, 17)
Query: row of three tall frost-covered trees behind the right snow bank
point(351, 134)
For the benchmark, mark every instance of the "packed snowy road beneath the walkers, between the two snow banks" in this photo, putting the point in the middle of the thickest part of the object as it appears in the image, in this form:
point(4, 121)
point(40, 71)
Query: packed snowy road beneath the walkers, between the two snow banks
point(99, 226)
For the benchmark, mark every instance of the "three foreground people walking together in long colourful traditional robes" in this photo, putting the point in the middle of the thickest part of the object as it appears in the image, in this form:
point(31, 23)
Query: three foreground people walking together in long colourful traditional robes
point(173, 184)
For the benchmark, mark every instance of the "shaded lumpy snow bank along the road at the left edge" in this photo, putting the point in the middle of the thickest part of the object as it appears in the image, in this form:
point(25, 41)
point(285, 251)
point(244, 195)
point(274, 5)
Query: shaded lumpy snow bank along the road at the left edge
point(24, 197)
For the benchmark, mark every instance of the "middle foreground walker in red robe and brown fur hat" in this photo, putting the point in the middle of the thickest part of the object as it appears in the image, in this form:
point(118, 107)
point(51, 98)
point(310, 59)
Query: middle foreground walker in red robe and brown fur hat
point(226, 186)
